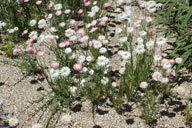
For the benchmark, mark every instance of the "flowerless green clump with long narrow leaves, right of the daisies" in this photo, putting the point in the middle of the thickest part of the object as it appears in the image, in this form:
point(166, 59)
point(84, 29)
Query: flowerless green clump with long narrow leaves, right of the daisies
point(177, 16)
